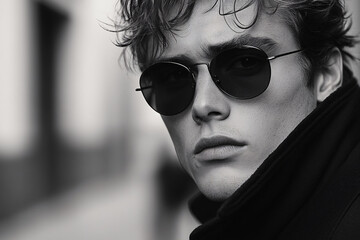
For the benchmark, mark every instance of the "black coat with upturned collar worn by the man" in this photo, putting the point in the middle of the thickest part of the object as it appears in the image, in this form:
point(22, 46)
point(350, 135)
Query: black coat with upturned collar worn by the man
point(308, 188)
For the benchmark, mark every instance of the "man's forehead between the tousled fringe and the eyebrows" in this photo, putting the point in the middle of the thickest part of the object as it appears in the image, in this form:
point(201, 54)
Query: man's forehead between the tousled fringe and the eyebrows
point(208, 26)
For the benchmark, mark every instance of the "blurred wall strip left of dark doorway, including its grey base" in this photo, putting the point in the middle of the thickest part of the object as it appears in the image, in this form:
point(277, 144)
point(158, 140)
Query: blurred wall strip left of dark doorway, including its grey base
point(18, 111)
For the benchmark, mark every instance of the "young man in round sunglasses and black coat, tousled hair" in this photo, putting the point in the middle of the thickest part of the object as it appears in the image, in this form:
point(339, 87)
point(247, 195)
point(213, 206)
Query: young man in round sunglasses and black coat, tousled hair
point(262, 110)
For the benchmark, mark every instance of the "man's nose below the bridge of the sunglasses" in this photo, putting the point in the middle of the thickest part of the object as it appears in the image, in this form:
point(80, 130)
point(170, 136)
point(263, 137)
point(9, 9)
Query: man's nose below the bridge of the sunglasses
point(209, 102)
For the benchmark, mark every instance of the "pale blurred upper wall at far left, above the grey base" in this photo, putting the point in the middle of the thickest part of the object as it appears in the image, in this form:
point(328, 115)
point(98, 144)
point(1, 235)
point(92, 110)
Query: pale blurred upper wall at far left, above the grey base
point(16, 97)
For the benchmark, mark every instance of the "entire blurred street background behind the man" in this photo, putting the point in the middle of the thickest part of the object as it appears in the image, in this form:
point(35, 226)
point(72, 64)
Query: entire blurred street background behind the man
point(81, 154)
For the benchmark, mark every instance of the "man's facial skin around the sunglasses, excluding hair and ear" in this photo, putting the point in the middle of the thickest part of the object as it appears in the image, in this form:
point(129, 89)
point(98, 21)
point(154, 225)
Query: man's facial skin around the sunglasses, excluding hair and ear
point(236, 135)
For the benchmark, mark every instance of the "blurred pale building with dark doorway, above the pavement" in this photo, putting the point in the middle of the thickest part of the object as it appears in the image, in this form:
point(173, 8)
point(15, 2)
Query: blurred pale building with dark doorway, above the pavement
point(55, 112)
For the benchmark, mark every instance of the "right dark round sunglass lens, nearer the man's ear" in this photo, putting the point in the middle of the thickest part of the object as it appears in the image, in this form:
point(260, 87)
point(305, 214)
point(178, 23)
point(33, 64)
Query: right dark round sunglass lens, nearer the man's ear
point(243, 73)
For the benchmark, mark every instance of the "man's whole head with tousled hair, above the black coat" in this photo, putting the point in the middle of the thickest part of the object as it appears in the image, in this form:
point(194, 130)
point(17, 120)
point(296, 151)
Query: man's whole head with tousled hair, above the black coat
point(220, 137)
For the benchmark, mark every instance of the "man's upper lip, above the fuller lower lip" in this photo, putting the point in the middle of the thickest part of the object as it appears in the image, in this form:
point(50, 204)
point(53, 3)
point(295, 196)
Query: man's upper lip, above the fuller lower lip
point(214, 142)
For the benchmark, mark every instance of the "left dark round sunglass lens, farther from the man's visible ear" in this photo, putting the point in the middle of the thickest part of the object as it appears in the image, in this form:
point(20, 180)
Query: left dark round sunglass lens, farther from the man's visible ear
point(167, 87)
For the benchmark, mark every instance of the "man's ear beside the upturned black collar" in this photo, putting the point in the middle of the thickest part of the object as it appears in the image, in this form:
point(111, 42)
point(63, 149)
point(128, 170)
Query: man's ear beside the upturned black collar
point(330, 77)
